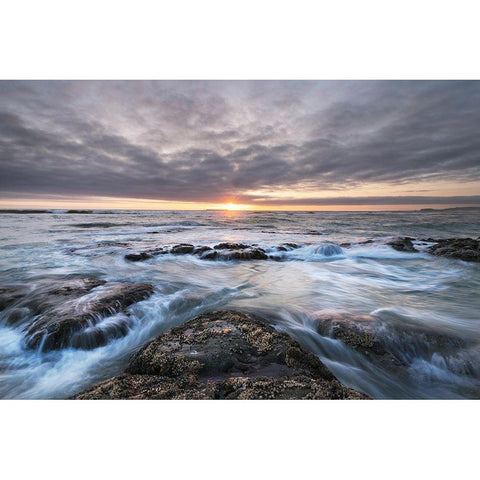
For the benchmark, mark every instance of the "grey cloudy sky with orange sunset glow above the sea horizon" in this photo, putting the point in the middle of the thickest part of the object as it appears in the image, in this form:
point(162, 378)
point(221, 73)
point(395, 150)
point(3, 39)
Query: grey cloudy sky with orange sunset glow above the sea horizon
point(287, 145)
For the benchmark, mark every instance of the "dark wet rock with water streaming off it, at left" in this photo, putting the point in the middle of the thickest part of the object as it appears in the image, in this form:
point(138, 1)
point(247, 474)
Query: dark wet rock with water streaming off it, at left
point(74, 315)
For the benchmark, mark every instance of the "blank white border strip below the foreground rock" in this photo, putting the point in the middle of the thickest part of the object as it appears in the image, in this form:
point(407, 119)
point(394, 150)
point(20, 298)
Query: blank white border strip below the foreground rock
point(239, 439)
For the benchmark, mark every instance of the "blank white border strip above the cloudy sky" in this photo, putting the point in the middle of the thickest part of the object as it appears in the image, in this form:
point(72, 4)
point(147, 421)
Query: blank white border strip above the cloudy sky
point(251, 39)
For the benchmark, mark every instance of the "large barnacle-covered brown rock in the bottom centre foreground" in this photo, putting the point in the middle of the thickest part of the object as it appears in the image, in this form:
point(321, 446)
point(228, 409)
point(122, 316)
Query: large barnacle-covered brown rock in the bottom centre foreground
point(223, 355)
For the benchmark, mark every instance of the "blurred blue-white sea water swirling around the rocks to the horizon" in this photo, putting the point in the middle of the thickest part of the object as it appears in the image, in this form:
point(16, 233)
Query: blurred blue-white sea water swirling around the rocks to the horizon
point(414, 289)
